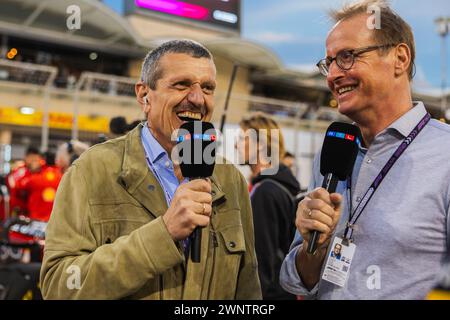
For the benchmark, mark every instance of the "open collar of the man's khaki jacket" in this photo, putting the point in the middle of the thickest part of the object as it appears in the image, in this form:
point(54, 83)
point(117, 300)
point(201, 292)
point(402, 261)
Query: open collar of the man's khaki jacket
point(138, 180)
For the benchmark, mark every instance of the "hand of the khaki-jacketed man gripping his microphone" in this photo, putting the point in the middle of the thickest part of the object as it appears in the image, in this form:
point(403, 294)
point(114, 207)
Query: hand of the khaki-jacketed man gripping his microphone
point(191, 207)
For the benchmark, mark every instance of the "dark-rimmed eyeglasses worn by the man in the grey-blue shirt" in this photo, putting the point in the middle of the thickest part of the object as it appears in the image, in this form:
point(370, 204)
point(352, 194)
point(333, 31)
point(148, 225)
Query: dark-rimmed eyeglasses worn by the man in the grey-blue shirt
point(345, 59)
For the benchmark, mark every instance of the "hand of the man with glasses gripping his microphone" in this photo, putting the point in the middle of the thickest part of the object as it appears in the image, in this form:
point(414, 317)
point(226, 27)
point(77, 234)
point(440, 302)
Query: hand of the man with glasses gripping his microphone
point(319, 211)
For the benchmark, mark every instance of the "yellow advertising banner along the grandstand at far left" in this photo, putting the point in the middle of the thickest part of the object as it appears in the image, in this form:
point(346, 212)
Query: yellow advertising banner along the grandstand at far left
point(57, 120)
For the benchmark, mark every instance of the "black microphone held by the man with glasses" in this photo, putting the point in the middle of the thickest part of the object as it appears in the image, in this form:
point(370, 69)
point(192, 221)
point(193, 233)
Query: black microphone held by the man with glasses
point(338, 156)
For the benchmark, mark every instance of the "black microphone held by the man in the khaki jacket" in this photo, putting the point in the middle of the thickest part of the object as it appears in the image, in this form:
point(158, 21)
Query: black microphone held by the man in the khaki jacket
point(196, 144)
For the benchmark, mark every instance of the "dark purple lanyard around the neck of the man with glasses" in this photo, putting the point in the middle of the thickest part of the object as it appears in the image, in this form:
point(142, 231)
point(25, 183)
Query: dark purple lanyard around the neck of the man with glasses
point(355, 215)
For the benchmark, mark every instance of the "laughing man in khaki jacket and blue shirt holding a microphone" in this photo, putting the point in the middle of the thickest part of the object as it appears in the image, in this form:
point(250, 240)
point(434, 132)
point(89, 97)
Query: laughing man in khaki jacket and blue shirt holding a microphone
point(123, 211)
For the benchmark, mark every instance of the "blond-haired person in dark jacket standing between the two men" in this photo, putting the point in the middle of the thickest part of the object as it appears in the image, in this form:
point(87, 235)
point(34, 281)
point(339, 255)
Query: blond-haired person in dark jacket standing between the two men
point(272, 198)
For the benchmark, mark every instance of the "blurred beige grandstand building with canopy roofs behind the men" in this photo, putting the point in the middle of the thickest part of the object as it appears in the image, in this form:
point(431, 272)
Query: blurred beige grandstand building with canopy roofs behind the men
point(63, 83)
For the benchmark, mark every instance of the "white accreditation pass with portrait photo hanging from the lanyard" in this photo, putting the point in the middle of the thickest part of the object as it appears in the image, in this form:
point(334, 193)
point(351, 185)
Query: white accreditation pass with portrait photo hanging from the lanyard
point(339, 261)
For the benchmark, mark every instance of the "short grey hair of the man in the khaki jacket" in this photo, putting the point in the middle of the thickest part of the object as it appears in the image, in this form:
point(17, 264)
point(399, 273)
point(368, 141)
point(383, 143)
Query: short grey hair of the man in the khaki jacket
point(151, 71)
